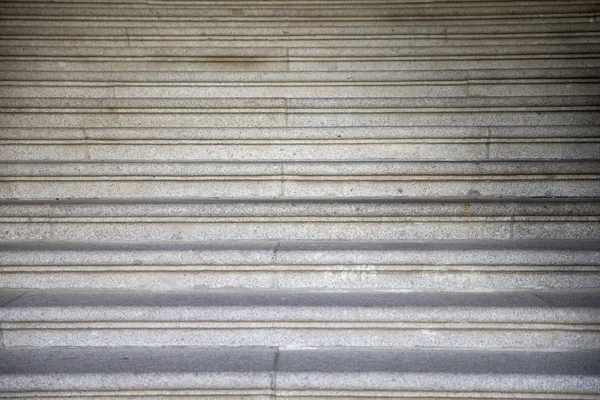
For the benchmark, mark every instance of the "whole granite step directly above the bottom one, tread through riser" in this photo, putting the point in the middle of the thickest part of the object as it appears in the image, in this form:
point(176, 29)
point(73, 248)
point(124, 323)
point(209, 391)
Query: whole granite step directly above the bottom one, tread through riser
point(509, 320)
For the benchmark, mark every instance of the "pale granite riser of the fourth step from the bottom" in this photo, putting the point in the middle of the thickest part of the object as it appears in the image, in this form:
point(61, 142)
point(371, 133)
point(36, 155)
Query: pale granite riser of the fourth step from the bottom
point(108, 230)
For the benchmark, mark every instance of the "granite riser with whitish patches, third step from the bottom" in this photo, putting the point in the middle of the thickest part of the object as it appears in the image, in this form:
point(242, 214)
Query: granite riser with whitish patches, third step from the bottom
point(296, 277)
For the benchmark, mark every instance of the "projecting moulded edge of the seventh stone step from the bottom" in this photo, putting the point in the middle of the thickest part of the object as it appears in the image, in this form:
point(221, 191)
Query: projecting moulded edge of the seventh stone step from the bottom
point(353, 104)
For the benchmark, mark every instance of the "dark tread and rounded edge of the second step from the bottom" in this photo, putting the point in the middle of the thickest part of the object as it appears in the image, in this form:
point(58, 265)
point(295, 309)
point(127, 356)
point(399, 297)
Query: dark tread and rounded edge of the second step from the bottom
point(249, 305)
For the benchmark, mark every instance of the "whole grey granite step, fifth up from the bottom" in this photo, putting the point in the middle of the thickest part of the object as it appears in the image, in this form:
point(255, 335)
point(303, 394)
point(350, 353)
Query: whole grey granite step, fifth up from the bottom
point(323, 179)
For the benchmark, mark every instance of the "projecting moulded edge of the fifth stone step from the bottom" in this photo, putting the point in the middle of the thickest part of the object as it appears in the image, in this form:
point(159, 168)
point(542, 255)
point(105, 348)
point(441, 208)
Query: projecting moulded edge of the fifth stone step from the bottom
point(390, 169)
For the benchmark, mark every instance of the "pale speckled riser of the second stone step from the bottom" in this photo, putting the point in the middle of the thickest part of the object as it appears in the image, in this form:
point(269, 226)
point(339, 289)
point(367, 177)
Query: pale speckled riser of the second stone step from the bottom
point(428, 337)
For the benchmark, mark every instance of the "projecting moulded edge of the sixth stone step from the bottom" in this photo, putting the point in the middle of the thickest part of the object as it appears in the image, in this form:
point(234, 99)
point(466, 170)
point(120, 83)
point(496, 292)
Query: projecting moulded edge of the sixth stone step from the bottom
point(423, 134)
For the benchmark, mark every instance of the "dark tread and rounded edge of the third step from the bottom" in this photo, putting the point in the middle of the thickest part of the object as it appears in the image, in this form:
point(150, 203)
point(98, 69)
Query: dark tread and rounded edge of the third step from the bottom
point(553, 255)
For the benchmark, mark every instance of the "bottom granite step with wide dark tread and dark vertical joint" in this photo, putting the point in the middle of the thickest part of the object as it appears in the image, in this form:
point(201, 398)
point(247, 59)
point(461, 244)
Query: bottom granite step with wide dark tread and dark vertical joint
point(260, 373)
